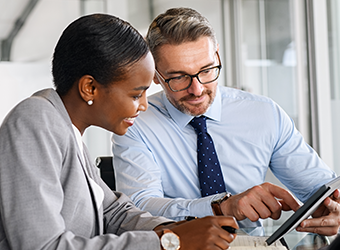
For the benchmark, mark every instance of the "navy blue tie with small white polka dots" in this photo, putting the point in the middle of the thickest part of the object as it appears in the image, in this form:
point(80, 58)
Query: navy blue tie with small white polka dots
point(209, 170)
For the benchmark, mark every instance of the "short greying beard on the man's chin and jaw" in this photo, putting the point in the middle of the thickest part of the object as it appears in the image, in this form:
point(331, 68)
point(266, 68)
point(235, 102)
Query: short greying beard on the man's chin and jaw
point(199, 110)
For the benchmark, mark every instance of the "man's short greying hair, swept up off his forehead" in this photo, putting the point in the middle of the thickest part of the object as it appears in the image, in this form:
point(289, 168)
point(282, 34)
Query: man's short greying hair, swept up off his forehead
point(177, 26)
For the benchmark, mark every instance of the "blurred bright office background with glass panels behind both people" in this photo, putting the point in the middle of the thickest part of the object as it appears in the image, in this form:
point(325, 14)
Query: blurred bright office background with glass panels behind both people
point(285, 49)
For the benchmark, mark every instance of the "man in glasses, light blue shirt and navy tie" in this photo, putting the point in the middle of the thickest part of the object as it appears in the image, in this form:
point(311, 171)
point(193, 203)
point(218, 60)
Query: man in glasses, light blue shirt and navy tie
point(157, 163)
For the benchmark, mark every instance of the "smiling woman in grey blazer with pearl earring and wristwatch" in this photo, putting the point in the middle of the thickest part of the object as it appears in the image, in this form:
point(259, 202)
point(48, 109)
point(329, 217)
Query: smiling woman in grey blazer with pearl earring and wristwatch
point(51, 195)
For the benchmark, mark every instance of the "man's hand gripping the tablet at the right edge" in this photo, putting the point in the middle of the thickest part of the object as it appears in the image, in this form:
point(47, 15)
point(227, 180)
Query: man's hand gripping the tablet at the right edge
point(326, 219)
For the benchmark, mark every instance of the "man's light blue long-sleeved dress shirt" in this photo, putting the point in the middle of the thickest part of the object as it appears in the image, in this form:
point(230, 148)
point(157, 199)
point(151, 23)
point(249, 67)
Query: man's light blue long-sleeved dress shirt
point(156, 160)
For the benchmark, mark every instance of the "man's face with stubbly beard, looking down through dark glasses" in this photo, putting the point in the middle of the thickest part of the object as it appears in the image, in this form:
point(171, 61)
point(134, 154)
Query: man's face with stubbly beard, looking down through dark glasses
point(188, 59)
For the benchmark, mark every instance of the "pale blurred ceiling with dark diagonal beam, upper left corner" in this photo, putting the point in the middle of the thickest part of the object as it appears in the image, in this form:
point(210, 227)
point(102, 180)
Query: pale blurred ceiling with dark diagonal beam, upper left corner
point(29, 29)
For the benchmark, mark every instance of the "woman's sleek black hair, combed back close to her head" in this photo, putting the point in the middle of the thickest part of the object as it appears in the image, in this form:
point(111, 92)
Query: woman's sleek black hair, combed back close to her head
point(99, 45)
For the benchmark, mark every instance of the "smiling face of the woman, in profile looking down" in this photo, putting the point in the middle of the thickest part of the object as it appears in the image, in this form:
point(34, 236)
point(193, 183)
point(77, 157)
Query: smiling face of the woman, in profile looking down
point(120, 103)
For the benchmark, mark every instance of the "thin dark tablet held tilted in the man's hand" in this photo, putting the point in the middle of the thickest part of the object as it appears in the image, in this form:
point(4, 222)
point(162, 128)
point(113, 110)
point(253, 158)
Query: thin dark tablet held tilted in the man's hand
point(306, 210)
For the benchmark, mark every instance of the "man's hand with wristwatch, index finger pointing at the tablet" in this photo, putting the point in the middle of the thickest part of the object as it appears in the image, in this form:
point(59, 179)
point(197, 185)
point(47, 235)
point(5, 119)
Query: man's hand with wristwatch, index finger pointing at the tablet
point(262, 201)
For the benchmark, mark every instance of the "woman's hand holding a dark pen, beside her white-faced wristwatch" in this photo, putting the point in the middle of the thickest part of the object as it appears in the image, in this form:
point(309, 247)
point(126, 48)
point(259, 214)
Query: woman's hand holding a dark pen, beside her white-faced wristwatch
point(205, 233)
